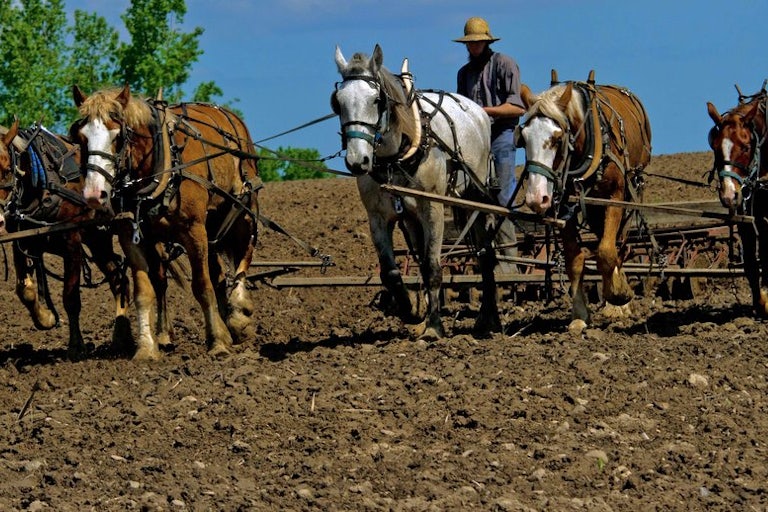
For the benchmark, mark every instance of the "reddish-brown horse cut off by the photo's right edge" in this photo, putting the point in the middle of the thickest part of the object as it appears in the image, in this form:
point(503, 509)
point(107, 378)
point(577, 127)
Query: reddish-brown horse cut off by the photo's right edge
point(739, 140)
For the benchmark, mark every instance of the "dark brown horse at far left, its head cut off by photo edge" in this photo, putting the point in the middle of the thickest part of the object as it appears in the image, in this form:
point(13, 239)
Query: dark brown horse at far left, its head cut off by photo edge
point(42, 189)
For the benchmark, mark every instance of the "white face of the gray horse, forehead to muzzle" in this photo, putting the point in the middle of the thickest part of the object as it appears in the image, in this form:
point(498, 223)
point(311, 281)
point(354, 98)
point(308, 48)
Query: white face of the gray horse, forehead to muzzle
point(359, 113)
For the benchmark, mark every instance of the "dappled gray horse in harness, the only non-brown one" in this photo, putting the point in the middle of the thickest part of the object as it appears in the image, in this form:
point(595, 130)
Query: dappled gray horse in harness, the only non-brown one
point(432, 141)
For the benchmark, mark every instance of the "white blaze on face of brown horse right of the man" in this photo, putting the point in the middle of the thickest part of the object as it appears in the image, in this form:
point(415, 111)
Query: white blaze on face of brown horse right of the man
point(539, 134)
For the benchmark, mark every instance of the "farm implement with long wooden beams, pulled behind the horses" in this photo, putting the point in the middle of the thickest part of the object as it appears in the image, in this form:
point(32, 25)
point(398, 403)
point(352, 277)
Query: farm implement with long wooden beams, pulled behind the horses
point(679, 247)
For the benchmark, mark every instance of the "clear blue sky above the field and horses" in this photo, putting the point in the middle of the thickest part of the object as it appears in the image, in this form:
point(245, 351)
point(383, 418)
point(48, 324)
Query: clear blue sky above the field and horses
point(277, 57)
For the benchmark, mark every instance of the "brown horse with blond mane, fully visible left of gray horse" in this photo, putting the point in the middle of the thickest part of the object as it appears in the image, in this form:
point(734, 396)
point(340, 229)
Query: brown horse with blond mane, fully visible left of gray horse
point(183, 176)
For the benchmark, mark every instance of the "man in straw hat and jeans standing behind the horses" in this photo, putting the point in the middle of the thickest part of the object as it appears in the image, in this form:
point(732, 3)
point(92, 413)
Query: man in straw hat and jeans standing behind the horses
point(492, 80)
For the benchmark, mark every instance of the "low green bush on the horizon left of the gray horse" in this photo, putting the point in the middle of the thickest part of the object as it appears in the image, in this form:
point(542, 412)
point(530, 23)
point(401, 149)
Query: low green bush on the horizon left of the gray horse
point(289, 163)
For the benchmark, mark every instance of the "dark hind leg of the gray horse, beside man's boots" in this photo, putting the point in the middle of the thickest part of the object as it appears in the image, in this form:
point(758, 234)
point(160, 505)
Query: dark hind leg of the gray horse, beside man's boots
point(488, 320)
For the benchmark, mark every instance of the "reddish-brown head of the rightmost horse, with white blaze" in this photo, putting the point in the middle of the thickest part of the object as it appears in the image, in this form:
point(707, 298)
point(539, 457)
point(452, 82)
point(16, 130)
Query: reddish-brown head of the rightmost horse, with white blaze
point(736, 139)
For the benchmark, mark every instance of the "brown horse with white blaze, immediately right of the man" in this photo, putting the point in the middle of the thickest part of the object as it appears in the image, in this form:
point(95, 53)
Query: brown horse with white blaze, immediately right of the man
point(590, 141)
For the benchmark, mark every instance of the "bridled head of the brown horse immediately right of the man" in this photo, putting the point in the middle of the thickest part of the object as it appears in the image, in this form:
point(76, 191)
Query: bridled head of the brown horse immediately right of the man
point(545, 136)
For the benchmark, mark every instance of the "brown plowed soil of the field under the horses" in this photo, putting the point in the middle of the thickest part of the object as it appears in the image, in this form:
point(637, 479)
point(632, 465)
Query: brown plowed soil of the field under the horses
point(336, 409)
